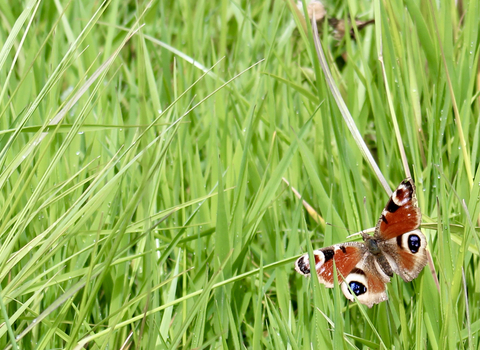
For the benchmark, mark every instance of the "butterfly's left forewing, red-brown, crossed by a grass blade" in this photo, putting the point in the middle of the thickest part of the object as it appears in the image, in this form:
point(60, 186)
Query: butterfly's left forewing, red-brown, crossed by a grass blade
point(345, 255)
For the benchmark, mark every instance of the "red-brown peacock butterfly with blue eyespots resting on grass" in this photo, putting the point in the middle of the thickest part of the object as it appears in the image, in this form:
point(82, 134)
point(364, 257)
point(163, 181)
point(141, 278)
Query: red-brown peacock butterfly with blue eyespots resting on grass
point(397, 246)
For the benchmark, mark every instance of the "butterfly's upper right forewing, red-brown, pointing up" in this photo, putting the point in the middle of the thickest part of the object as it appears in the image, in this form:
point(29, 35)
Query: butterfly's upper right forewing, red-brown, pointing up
point(401, 213)
